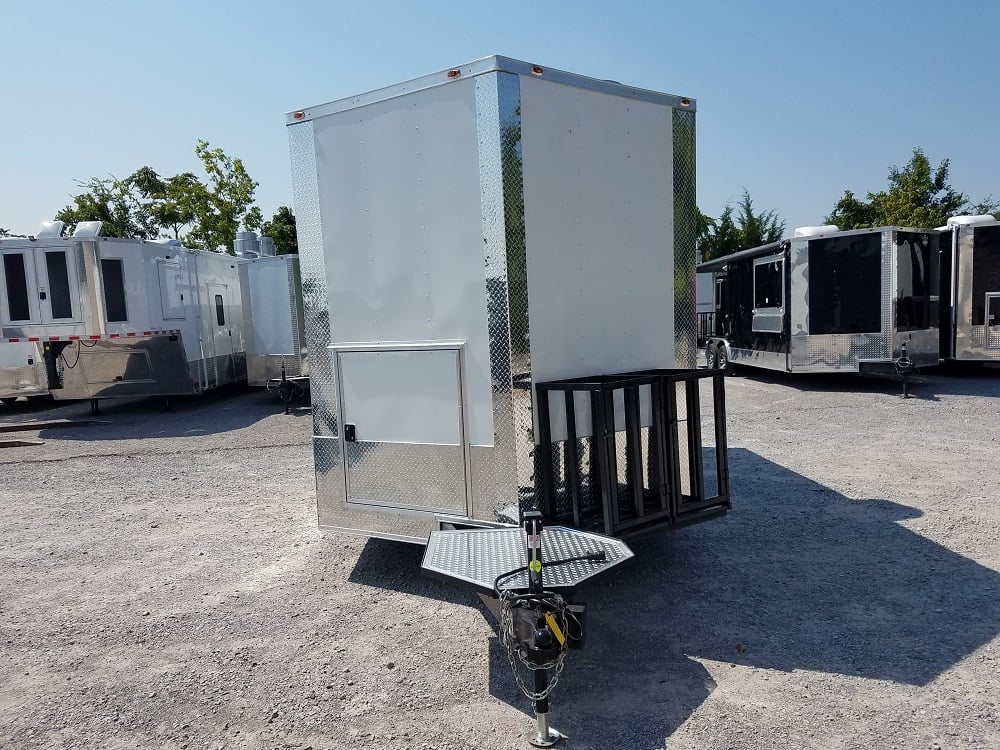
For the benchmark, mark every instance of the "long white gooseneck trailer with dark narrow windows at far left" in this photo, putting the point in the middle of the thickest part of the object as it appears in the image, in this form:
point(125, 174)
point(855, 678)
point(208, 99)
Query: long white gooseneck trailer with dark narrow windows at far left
point(121, 317)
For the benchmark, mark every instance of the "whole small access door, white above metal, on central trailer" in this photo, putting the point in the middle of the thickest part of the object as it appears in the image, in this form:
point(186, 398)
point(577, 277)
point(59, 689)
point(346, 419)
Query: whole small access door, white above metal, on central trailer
point(403, 429)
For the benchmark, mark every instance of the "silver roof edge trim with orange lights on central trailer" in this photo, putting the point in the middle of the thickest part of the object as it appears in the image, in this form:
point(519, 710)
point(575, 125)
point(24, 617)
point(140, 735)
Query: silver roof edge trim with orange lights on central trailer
point(491, 64)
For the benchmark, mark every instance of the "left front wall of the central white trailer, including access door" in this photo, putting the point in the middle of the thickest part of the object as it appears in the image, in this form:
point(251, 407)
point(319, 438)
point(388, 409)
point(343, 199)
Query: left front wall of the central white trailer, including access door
point(398, 180)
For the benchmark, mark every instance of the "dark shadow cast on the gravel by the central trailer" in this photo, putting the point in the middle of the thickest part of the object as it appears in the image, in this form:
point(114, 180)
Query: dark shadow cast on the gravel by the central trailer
point(796, 577)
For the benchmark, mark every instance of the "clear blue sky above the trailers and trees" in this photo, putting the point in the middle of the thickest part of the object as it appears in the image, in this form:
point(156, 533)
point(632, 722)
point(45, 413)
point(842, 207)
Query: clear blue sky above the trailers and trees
point(797, 101)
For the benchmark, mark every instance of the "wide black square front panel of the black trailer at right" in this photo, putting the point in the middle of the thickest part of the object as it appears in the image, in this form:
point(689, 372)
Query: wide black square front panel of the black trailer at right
point(845, 284)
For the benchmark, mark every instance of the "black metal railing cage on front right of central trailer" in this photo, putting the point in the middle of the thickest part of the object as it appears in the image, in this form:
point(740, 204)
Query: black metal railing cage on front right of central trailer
point(625, 453)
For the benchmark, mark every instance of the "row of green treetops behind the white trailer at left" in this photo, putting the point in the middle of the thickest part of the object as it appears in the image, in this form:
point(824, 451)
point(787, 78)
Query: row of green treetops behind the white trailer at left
point(145, 205)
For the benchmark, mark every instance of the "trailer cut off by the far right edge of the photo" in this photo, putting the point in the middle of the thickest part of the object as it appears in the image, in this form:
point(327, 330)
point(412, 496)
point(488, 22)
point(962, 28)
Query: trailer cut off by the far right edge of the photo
point(970, 289)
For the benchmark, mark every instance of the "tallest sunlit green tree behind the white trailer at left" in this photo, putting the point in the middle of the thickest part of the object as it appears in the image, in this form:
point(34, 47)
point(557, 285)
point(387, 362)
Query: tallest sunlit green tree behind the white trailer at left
point(222, 207)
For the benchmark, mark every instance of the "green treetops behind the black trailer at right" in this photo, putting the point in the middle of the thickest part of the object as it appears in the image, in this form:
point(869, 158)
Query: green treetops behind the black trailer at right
point(917, 196)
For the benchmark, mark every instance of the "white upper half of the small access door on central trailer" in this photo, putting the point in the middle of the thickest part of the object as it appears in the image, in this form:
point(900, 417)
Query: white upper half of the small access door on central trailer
point(403, 396)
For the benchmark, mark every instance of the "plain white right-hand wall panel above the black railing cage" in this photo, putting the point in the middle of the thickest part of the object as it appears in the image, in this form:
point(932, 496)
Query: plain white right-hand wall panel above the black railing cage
point(600, 255)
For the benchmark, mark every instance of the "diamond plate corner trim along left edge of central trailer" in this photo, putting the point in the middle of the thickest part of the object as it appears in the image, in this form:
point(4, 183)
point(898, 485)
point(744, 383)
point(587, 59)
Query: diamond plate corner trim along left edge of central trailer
point(312, 266)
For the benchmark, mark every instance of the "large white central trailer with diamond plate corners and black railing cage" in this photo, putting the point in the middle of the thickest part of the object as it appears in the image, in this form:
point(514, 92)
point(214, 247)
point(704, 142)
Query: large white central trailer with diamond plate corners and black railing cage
point(476, 234)
